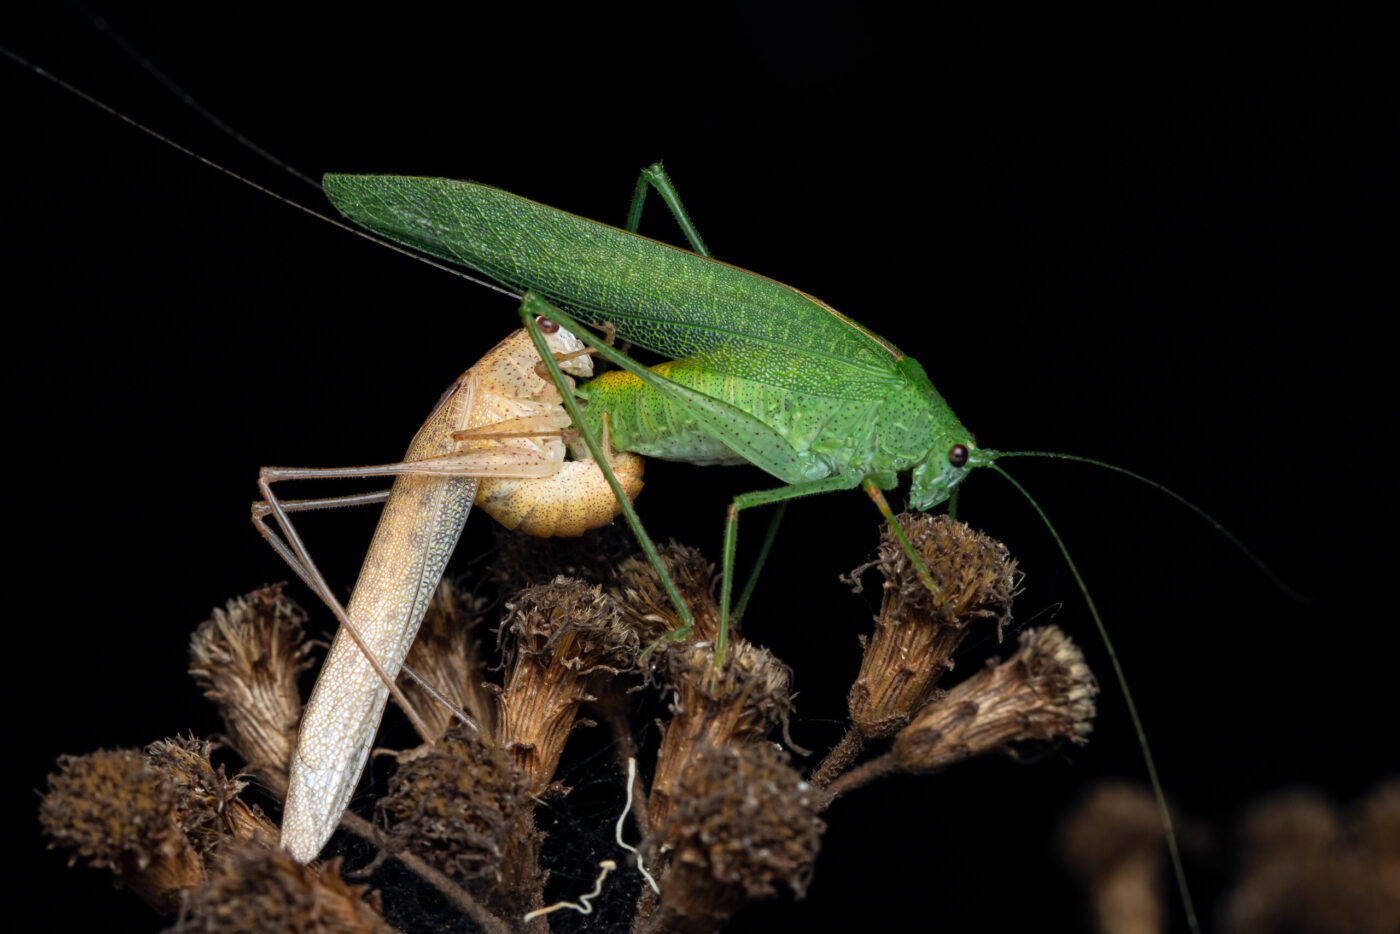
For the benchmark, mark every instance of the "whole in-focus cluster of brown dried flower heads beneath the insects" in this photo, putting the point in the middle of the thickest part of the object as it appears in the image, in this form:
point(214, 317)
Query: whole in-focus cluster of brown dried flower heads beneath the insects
point(726, 818)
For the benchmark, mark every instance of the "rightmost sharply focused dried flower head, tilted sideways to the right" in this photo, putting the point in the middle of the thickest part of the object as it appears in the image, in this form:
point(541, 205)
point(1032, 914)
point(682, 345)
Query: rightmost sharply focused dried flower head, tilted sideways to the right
point(1042, 692)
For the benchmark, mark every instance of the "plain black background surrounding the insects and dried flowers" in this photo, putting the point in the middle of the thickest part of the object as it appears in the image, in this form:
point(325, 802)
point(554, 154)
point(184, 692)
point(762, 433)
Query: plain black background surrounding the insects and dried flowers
point(1163, 242)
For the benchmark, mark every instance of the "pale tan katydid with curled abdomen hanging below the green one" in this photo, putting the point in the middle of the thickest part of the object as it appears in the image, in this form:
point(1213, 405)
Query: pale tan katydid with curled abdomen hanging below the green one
point(495, 439)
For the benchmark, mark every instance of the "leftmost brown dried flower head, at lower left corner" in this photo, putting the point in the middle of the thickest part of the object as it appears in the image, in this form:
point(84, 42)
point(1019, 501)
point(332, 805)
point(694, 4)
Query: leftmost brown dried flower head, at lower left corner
point(115, 811)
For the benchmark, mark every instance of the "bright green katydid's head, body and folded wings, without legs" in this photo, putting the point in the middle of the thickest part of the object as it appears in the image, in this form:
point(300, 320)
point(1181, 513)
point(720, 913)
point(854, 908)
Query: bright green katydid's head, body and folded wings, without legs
point(775, 377)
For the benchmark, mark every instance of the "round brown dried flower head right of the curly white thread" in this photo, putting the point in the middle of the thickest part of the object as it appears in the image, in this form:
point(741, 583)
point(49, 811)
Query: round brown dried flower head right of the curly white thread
point(745, 825)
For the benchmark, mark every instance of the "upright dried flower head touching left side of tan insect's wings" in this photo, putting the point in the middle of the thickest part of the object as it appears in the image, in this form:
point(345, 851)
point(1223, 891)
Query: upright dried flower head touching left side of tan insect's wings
point(247, 659)
